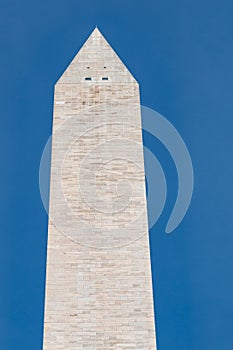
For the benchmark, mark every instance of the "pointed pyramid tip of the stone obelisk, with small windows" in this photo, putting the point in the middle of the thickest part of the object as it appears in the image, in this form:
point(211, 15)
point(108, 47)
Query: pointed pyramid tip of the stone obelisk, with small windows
point(96, 61)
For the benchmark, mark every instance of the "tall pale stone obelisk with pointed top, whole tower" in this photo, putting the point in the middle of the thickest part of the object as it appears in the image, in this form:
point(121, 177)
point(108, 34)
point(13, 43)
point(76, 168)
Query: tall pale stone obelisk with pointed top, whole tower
point(98, 276)
